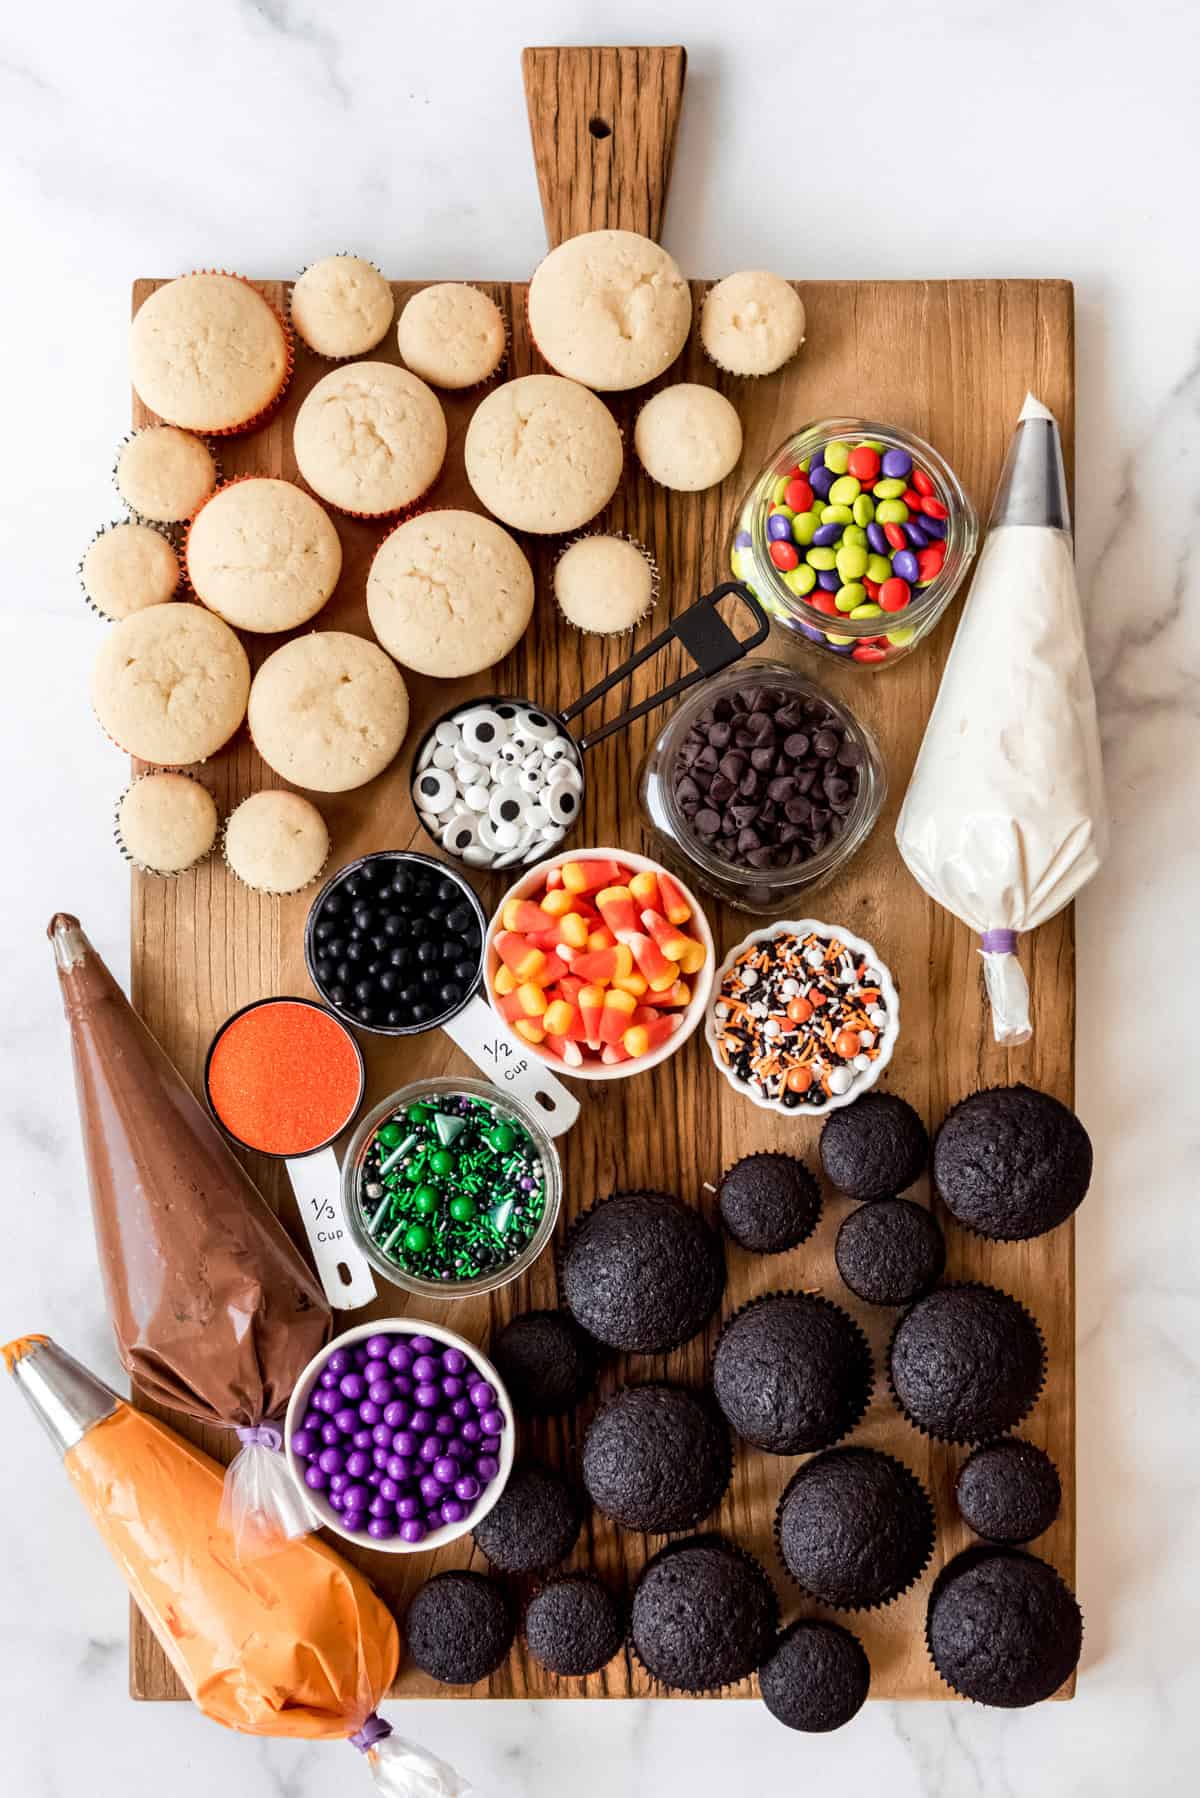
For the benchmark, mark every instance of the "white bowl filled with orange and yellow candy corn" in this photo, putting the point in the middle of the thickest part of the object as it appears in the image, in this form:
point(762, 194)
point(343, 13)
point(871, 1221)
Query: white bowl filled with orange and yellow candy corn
point(600, 963)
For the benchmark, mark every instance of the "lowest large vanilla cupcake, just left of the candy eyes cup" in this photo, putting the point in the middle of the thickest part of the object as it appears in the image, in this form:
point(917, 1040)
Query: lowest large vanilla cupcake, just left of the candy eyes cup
point(328, 711)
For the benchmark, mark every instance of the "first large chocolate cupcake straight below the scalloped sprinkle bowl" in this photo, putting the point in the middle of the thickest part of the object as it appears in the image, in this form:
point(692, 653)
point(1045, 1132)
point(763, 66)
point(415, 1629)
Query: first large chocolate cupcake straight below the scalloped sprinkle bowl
point(793, 1373)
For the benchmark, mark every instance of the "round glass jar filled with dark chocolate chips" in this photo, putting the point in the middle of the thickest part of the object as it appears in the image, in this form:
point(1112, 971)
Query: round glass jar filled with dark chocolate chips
point(762, 787)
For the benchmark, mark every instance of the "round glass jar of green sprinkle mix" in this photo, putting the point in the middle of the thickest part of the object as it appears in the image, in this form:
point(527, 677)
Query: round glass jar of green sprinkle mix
point(452, 1188)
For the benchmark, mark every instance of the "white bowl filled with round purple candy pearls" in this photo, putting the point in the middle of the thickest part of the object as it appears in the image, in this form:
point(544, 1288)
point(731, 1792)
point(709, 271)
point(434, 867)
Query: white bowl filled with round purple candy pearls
point(400, 1436)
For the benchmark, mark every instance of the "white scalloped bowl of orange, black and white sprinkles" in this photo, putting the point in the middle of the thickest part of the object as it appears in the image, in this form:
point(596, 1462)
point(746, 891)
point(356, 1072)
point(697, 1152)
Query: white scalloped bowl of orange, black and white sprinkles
point(803, 1019)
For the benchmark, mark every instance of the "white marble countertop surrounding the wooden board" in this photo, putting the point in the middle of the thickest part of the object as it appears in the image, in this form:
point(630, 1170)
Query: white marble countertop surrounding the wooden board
point(1037, 138)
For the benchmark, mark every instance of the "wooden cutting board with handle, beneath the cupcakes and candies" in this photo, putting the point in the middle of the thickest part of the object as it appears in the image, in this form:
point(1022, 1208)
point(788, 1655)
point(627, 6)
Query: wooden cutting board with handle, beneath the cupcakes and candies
point(951, 360)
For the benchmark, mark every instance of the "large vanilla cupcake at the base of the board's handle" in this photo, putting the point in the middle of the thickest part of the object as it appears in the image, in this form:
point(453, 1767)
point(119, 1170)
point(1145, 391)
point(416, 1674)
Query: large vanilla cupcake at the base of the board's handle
point(611, 310)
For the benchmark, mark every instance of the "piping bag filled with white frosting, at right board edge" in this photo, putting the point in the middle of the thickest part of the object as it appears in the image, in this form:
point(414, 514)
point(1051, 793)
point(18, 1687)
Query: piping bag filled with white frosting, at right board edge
point(1005, 815)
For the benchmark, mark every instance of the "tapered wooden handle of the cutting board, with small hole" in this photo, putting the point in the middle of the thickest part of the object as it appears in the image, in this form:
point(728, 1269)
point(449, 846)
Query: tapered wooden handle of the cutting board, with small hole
point(604, 129)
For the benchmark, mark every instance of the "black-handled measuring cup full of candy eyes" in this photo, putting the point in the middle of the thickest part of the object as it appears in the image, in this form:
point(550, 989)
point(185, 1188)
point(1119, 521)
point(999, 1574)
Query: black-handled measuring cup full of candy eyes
point(499, 781)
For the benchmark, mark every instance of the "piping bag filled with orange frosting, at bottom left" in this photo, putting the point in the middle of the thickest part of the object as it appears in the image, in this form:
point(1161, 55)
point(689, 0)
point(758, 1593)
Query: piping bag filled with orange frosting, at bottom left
point(294, 1646)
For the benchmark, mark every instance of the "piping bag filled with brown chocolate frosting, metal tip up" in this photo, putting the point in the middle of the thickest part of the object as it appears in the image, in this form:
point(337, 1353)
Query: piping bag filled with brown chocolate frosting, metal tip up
point(215, 1312)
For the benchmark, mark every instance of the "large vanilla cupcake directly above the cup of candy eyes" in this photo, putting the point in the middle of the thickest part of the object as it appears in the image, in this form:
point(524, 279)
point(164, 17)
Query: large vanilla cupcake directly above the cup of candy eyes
point(449, 594)
